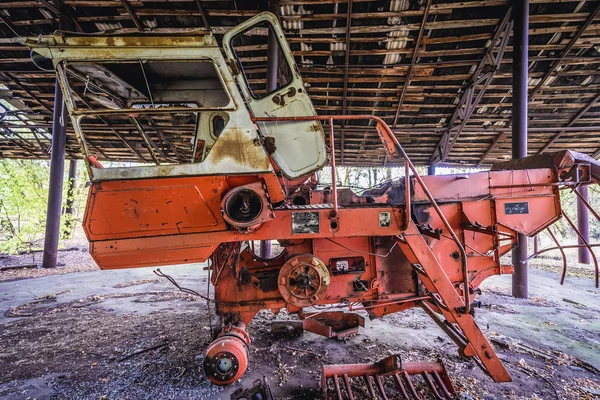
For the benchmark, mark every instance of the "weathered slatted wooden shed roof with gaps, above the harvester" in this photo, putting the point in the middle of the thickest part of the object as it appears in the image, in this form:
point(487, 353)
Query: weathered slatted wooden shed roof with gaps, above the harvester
point(437, 71)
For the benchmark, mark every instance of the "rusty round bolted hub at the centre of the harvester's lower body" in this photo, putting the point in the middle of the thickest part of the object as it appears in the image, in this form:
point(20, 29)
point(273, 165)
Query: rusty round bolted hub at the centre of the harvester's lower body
point(303, 280)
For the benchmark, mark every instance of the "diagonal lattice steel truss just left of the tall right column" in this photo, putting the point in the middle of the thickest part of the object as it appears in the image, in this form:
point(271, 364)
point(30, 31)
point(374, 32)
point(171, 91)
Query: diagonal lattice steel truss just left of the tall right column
point(482, 77)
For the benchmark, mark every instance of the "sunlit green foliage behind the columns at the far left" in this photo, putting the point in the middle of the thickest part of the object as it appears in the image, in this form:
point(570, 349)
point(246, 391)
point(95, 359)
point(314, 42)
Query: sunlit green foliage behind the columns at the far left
point(24, 200)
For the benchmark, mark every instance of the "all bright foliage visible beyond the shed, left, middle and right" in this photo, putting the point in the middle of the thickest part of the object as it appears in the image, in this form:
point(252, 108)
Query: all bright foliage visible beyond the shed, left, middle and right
point(24, 193)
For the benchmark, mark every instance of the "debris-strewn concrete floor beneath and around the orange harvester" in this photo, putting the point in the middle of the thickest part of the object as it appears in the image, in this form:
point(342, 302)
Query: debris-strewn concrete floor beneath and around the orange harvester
point(69, 348)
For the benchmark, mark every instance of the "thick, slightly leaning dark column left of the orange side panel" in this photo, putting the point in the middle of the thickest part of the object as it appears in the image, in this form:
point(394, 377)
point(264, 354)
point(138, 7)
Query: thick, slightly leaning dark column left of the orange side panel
point(57, 170)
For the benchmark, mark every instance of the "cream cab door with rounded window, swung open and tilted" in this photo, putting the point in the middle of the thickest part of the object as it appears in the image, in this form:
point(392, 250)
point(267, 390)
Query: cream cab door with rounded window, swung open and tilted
point(299, 146)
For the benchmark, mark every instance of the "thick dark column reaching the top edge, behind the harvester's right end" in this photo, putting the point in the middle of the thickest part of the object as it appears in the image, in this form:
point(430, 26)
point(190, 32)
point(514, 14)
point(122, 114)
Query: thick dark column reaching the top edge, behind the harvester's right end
point(519, 128)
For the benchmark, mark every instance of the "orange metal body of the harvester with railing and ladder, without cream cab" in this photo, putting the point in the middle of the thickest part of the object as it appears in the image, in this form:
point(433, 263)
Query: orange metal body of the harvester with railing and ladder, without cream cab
point(179, 220)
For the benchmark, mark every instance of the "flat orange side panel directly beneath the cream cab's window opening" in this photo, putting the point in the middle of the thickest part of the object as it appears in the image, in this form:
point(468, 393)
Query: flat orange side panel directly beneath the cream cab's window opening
point(157, 207)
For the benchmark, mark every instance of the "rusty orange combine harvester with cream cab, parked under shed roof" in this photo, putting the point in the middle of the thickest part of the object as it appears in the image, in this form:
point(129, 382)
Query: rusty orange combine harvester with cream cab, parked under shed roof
point(236, 164)
